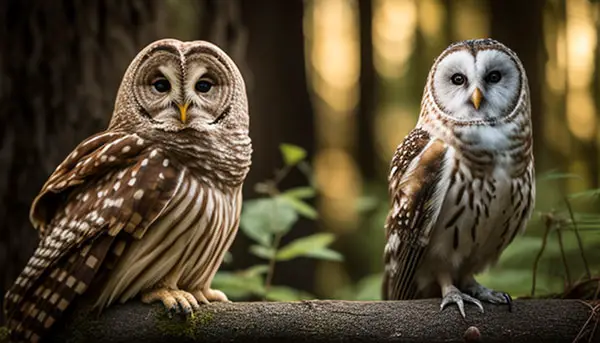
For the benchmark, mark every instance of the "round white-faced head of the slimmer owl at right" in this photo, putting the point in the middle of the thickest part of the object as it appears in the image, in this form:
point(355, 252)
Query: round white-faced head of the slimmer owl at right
point(477, 80)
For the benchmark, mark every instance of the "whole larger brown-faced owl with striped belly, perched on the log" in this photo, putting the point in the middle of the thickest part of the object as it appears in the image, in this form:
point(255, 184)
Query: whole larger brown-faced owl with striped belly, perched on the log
point(150, 206)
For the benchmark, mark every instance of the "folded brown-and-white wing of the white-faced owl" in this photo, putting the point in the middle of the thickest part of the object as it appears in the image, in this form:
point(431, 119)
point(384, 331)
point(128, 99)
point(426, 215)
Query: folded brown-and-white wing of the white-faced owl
point(417, 192)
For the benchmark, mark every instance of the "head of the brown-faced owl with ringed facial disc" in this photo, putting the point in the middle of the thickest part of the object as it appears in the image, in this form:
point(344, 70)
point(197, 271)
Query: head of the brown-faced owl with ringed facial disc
point(174, 86)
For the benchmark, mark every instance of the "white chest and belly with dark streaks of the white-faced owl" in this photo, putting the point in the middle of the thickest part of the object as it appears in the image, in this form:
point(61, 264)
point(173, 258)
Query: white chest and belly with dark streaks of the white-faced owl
point(489, 196)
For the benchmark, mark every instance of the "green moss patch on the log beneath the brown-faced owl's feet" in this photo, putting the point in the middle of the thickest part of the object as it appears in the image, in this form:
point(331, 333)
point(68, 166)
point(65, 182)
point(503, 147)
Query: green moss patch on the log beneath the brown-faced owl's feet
point(188, 328)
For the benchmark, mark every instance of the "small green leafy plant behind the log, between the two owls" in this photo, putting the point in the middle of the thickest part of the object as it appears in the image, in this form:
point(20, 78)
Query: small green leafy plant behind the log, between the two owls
point(266, 221)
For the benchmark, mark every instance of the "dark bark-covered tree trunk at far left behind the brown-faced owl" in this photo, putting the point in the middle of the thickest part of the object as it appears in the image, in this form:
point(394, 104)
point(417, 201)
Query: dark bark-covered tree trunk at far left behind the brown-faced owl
point(60, 66)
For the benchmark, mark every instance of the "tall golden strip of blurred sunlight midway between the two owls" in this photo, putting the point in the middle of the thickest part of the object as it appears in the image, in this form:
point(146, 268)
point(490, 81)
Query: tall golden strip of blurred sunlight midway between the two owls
point(333, 51)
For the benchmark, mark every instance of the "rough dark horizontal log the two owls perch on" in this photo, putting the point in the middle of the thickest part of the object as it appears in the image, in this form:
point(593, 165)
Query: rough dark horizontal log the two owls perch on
point(339, 321)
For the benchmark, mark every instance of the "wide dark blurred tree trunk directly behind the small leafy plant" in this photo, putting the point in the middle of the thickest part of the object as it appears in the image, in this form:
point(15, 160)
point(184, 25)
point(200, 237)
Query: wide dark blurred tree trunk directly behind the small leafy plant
point(280, 110)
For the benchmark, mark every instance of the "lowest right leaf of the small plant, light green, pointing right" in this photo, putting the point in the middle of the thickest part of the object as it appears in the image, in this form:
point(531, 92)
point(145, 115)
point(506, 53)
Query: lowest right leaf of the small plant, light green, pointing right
point(311, 246)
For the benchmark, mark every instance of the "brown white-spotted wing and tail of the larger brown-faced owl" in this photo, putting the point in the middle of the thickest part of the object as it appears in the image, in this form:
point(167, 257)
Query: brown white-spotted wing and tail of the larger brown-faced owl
point(111, 183)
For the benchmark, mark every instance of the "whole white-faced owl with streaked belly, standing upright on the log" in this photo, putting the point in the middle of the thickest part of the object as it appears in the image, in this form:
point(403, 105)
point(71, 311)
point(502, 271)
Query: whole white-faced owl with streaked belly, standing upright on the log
point(462, 182)
